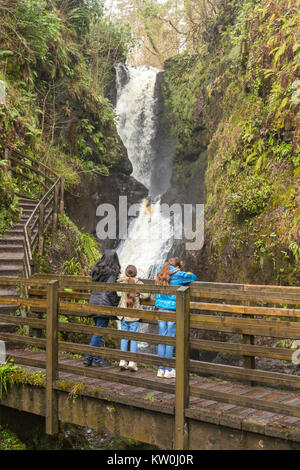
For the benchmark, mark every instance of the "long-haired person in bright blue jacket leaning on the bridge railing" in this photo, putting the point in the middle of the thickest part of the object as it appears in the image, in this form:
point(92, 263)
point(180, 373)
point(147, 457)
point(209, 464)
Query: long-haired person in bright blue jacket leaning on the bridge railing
point(169, 274)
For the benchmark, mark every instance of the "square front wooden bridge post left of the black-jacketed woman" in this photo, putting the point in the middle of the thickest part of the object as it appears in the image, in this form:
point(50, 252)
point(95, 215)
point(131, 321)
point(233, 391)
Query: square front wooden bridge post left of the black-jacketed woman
point(52, 358)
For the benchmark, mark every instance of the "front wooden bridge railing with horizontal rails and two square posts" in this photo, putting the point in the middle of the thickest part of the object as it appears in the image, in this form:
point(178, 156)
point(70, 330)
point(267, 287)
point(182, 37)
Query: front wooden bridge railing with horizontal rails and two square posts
point(220, 308)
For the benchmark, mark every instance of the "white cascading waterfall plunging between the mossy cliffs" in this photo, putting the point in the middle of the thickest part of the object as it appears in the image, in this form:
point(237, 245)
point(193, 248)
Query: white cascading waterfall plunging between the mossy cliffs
point(150, 234)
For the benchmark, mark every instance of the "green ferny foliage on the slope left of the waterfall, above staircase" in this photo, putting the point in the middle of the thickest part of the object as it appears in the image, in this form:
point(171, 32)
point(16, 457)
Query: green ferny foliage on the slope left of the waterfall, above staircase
point(57, 61)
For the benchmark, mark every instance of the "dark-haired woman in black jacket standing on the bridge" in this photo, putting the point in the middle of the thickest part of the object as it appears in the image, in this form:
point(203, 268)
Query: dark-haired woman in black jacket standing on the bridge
point(107, 269)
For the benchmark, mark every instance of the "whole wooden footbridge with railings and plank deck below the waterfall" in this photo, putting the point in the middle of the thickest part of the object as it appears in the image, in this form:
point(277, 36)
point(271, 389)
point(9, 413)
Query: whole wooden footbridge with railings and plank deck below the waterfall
point(208, 406)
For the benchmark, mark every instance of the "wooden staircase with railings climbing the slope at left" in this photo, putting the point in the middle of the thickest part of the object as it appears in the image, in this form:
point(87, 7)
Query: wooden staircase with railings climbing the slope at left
point(36, 217)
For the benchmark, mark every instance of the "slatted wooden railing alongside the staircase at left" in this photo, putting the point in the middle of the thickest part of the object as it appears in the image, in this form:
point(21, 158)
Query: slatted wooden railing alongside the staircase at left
point(50, 192)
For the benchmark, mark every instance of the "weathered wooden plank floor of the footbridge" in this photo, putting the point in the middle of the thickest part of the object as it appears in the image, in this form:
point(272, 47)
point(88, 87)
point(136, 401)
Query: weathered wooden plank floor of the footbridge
point(200, 409)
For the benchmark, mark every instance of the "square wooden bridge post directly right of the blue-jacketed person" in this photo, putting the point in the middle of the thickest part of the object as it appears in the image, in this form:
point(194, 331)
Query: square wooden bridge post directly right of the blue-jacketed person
point(182, 366)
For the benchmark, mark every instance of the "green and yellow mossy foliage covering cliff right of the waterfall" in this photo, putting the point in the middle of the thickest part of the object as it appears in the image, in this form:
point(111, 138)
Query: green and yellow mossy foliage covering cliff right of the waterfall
point(235, 98)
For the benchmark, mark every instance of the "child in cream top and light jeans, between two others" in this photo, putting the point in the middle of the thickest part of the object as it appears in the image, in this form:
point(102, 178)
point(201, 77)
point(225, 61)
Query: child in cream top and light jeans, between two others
point(130, 300)
